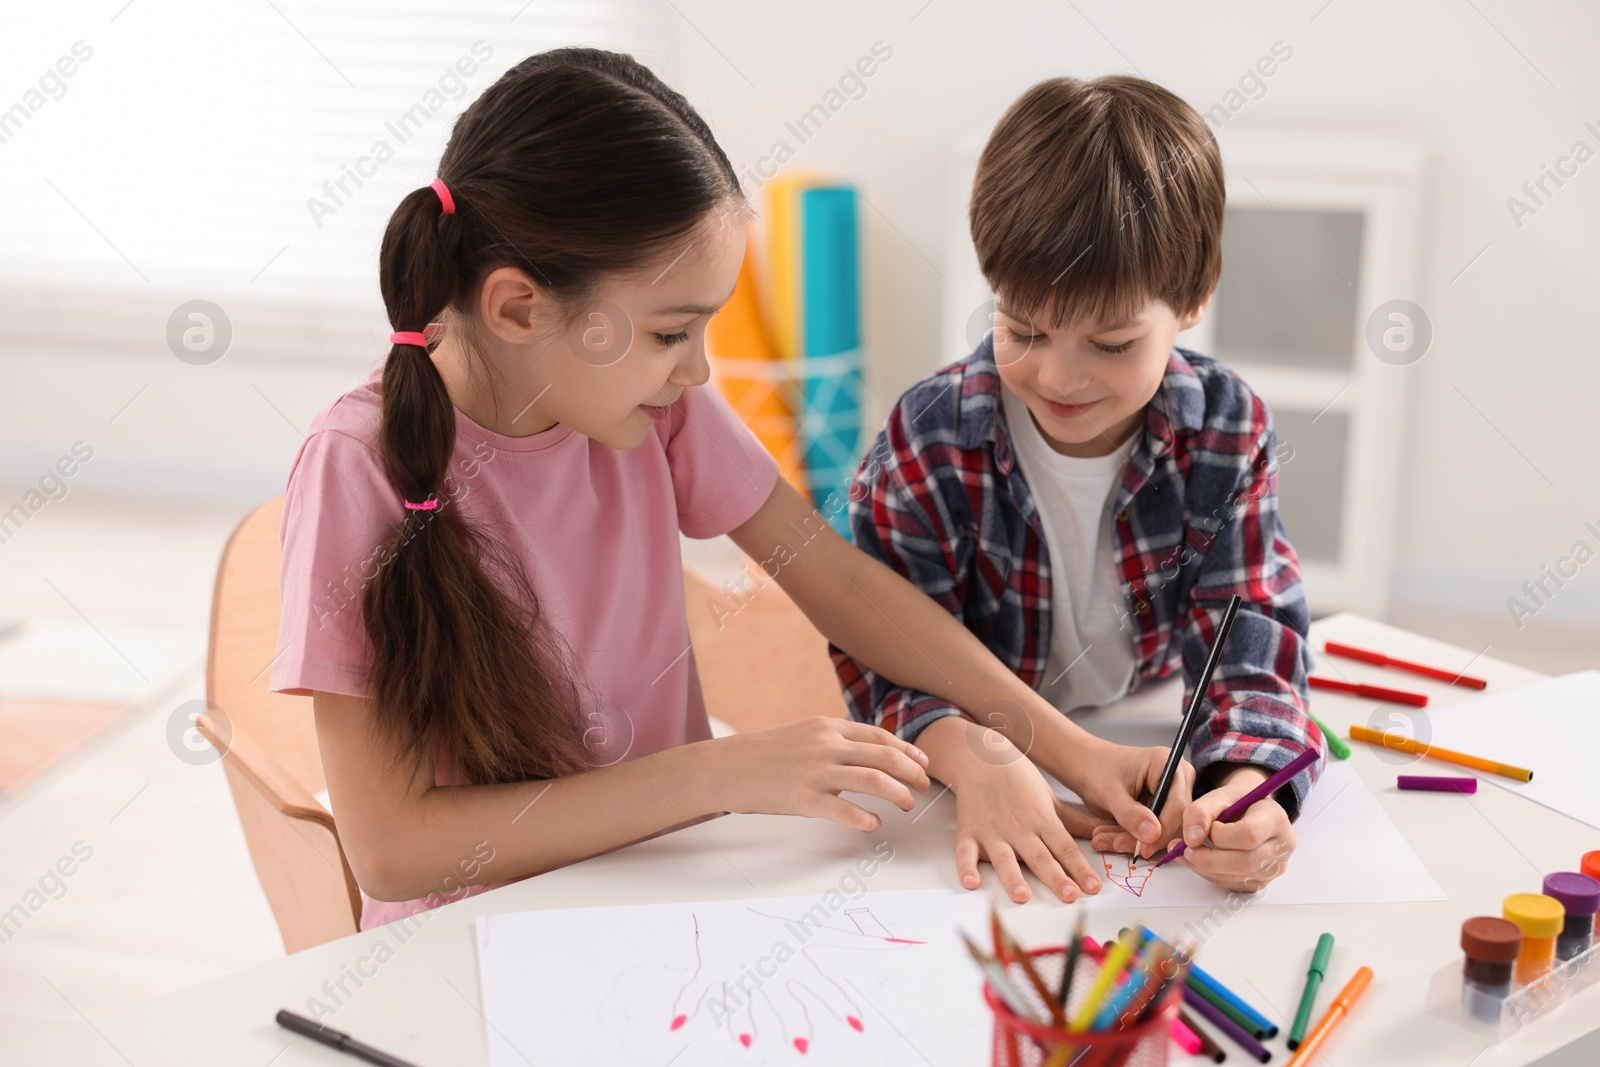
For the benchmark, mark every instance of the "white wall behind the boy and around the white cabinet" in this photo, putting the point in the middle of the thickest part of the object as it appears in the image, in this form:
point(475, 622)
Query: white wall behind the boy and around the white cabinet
point(1489, 495)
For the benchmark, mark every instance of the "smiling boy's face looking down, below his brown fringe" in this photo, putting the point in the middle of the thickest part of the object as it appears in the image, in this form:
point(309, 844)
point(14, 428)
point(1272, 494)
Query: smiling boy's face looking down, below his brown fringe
point(1087, 385)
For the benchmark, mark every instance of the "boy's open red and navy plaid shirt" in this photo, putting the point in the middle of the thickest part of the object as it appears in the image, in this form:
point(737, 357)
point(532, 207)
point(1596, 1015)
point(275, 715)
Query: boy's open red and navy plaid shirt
point(940, 498)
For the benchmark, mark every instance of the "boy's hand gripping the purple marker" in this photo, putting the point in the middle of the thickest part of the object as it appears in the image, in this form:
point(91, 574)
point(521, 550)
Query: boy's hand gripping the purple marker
point(1249, 853)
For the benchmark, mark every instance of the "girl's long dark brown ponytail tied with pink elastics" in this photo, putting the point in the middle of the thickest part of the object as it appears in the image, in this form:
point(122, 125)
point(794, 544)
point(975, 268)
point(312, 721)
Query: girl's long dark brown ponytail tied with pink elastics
point(462, 655)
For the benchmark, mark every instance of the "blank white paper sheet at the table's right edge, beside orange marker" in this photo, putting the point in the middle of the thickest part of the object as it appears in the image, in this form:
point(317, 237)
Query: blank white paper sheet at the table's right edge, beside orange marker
point(1553, 729)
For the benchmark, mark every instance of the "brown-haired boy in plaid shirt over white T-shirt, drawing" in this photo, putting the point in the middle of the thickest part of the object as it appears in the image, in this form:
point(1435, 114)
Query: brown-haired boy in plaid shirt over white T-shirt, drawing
point(1084, 495)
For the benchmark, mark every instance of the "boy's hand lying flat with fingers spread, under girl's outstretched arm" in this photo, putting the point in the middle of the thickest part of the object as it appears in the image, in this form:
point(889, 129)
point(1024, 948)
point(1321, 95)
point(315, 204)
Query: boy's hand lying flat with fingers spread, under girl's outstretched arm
point(1007, 813)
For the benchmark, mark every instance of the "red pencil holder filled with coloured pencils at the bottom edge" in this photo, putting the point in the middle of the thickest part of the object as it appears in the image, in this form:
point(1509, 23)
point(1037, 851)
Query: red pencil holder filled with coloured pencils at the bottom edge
point(1026, 1044)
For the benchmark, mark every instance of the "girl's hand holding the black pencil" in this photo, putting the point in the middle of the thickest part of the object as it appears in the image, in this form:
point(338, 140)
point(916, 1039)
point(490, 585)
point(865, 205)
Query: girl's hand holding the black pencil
point(1111, 783)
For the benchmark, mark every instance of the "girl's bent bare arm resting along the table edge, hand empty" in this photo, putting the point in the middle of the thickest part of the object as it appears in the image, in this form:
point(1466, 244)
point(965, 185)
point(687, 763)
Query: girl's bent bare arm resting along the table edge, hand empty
point(407, 837)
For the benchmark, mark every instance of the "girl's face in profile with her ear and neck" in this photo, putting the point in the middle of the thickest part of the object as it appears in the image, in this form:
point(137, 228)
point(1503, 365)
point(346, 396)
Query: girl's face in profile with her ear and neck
point(614, 369)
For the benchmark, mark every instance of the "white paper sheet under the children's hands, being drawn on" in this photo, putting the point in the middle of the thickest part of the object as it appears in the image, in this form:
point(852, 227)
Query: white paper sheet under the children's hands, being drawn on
point(1348, 850)
